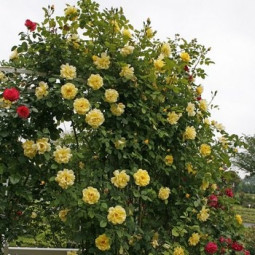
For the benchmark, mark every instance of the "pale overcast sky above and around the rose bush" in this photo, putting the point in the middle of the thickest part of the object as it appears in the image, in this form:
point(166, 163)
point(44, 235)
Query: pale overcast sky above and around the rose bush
point(227, 26)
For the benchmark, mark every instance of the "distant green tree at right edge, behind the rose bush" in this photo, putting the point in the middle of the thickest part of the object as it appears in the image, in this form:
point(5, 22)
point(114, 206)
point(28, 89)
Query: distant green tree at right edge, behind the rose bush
point(245, 160)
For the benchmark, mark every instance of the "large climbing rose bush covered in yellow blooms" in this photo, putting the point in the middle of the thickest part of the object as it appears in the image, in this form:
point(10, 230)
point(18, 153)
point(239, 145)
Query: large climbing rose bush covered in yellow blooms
point(143, 146)
